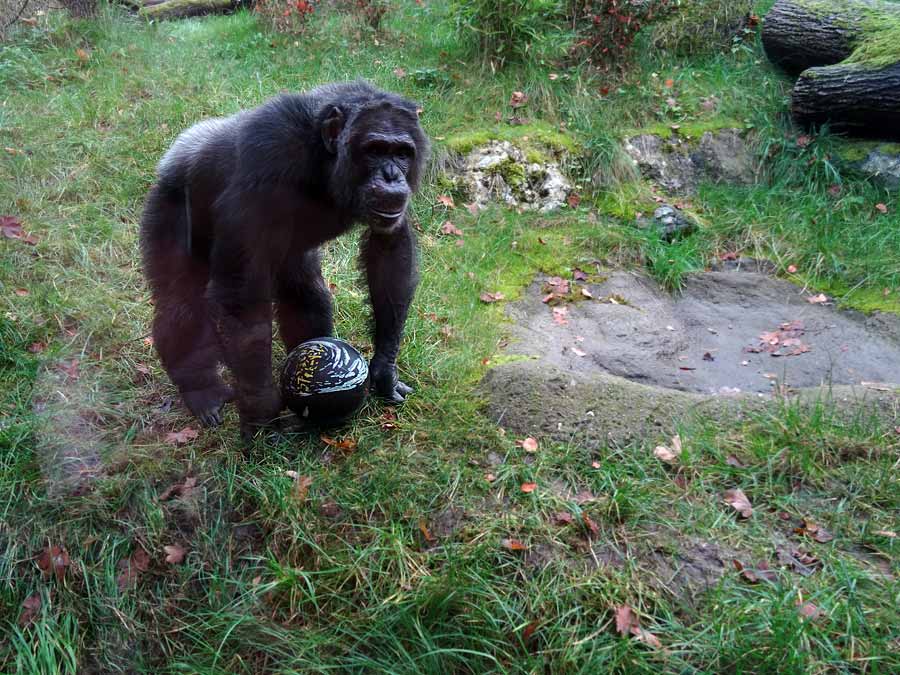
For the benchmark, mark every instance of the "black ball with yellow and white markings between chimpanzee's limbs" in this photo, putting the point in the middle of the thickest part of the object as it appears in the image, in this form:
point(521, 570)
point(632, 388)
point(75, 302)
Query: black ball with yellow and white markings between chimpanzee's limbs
point(324, 380)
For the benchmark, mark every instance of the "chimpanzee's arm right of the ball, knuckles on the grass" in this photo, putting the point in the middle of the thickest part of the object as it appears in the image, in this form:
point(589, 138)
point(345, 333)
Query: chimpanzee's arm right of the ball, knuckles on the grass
point(390, 264)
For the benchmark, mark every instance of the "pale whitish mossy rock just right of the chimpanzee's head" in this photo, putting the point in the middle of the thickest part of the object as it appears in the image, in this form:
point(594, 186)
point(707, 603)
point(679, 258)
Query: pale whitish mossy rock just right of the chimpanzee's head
point(501, 171)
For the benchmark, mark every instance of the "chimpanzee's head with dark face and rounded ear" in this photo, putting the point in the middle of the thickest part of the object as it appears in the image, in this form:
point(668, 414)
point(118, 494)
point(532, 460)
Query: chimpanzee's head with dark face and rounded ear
point(379, 151)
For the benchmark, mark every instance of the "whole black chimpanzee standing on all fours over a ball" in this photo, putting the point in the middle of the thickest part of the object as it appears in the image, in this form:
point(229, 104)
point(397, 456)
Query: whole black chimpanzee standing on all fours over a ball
point(234, 223)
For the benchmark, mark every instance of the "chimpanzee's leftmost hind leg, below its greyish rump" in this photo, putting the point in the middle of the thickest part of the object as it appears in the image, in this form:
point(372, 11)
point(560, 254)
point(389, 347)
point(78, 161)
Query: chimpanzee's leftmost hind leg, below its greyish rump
point(183, 332)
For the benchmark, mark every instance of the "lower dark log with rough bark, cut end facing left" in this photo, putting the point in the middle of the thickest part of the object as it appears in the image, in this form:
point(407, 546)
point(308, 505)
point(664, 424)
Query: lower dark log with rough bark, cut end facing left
point(851, 98)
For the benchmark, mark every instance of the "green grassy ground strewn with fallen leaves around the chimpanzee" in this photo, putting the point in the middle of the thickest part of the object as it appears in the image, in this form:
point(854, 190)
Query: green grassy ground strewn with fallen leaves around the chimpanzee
point(393, 559)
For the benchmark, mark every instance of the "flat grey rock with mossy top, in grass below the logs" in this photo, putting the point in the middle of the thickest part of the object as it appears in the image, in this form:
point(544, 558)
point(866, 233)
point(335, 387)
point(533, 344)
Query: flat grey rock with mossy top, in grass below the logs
point(678, 163)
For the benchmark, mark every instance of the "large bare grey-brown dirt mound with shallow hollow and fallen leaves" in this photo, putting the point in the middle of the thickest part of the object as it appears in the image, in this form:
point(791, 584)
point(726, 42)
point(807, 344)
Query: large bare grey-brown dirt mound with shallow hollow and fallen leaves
point(635, 358)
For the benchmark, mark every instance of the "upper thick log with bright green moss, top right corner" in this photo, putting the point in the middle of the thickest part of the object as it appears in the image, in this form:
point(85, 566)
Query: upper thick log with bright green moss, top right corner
point(801, 34)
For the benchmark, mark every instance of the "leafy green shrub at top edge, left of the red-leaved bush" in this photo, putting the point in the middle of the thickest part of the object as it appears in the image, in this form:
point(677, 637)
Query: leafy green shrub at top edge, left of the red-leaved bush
point(505, 30)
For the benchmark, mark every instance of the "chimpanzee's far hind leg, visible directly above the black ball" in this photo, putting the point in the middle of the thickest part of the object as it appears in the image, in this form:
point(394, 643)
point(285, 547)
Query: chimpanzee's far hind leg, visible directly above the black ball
point(304, 302)
